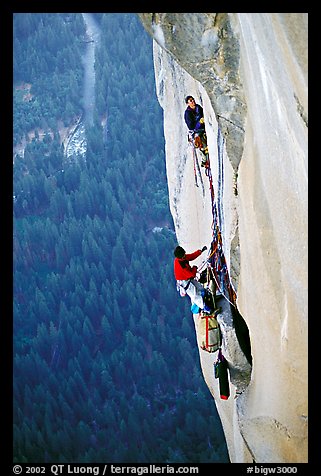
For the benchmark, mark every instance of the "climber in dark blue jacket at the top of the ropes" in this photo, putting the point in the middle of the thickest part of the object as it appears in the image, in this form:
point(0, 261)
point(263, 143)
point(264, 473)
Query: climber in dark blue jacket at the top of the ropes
point(194, 118)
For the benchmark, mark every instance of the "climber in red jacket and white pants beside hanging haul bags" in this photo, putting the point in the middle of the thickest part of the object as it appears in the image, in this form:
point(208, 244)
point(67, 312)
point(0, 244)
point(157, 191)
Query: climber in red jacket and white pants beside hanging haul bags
point(185, 276)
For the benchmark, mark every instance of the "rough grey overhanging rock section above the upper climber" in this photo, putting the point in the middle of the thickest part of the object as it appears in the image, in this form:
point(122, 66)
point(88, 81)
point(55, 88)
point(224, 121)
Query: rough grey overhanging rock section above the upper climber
point(206, 46)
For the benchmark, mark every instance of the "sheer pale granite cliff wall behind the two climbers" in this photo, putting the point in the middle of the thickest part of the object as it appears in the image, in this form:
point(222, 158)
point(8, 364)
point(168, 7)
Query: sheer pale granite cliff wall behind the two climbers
point(249, 71)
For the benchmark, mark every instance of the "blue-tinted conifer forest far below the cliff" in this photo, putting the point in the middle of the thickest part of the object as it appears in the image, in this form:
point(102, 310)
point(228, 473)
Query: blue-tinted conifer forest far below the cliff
point(106, 364)
